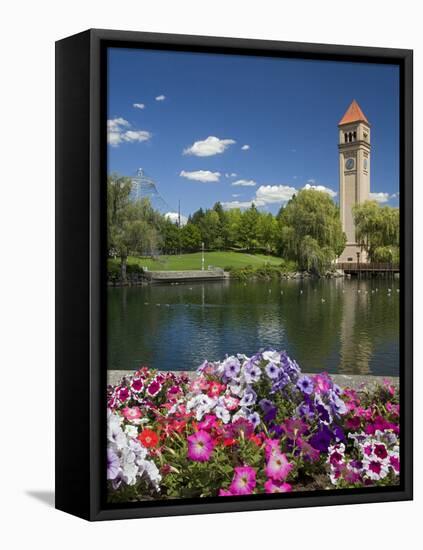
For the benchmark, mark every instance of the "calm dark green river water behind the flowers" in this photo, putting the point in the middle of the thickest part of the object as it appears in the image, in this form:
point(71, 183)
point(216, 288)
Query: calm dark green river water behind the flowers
point(345, 326)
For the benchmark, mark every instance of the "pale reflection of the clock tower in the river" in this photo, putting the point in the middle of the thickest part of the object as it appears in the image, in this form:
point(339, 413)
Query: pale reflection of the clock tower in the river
point(355, 346)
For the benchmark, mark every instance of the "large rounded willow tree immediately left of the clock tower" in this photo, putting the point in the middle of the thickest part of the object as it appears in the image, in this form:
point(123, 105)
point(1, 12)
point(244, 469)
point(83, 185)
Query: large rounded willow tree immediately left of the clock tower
point(310, 231)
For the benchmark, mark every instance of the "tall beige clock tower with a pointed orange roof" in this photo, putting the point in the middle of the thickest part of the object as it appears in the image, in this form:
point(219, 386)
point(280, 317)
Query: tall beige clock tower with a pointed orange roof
point(354, 175)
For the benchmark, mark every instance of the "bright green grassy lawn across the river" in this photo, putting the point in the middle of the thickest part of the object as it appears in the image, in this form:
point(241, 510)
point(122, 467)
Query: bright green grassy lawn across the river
point(193, 261)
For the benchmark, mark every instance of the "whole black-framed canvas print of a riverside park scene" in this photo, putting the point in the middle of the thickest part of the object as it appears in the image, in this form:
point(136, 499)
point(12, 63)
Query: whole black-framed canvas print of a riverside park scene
point(234, 275)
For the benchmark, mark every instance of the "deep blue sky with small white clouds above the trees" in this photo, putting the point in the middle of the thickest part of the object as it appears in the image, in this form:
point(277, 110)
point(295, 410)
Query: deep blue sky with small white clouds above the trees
point(209, 127)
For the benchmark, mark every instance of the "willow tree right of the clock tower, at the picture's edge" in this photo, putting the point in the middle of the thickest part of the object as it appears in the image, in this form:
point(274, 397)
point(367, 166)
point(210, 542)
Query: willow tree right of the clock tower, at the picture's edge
point(379, 229)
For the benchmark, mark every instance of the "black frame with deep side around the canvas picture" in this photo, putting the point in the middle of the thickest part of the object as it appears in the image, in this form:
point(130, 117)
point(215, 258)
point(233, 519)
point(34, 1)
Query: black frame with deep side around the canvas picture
point(80, 271)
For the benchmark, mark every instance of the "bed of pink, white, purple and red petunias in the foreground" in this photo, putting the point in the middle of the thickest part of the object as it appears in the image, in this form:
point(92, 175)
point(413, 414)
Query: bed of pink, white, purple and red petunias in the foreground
point(247, 425)
